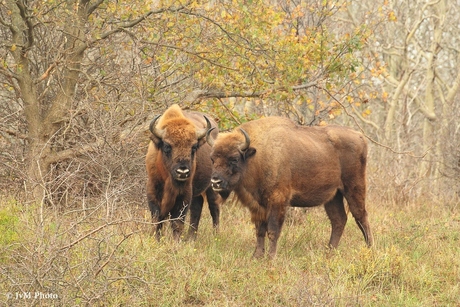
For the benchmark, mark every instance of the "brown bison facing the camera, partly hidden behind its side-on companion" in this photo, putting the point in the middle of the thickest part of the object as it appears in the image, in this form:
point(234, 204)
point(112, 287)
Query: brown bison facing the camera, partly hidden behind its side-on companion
point(179, 170)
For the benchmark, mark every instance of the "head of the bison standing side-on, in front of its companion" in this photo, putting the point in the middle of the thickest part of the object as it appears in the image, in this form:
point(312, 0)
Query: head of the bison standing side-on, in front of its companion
point(229, 155)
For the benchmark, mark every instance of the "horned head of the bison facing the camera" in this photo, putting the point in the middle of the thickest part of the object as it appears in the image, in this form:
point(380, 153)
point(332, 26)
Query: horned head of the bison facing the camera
point(178, 140)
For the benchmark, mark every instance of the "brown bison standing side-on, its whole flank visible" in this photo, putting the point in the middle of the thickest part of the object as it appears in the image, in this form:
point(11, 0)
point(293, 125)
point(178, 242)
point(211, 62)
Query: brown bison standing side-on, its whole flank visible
point(272, 163)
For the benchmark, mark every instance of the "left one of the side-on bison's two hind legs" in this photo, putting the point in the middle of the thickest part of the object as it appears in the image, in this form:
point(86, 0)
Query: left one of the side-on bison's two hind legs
point(336, 212)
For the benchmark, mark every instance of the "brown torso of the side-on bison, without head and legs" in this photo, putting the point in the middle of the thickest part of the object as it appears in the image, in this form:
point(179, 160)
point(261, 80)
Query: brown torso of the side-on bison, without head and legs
point(308, 163)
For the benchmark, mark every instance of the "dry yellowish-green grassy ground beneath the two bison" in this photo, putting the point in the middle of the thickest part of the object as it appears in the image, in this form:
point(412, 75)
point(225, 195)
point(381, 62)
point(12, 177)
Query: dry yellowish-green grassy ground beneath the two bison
point(74, 258)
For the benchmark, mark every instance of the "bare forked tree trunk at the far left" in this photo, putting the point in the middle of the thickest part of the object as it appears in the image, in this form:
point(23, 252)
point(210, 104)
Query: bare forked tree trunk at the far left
point(44, 126)
